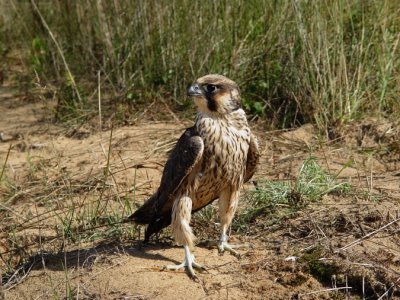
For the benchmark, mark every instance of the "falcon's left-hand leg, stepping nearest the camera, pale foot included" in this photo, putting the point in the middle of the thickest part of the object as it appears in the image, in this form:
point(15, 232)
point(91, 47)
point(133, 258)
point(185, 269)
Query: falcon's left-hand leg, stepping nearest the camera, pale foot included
point(181, 214)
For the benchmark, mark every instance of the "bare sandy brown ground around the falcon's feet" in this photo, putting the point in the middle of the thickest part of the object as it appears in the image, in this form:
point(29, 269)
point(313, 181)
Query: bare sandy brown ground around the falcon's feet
point(52, 168)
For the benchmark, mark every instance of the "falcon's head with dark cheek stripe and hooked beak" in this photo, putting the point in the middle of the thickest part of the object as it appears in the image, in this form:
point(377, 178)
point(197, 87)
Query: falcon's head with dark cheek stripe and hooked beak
point(215, 94)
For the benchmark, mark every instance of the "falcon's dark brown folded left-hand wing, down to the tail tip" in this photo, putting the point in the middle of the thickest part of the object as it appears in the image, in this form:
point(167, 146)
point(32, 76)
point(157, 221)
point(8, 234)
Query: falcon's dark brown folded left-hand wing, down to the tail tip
point(156, 211)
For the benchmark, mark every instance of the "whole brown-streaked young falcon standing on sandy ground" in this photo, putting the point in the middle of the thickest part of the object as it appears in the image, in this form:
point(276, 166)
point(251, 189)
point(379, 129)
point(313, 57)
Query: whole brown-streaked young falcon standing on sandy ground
point(211, 160)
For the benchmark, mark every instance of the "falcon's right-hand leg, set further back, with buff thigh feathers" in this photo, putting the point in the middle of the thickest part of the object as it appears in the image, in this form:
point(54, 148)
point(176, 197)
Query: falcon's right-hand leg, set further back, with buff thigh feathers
point(228, 202)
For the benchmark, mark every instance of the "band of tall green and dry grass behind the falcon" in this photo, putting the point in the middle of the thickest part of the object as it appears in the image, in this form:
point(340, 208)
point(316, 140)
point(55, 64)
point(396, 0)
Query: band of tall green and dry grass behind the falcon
point(295, 61)
